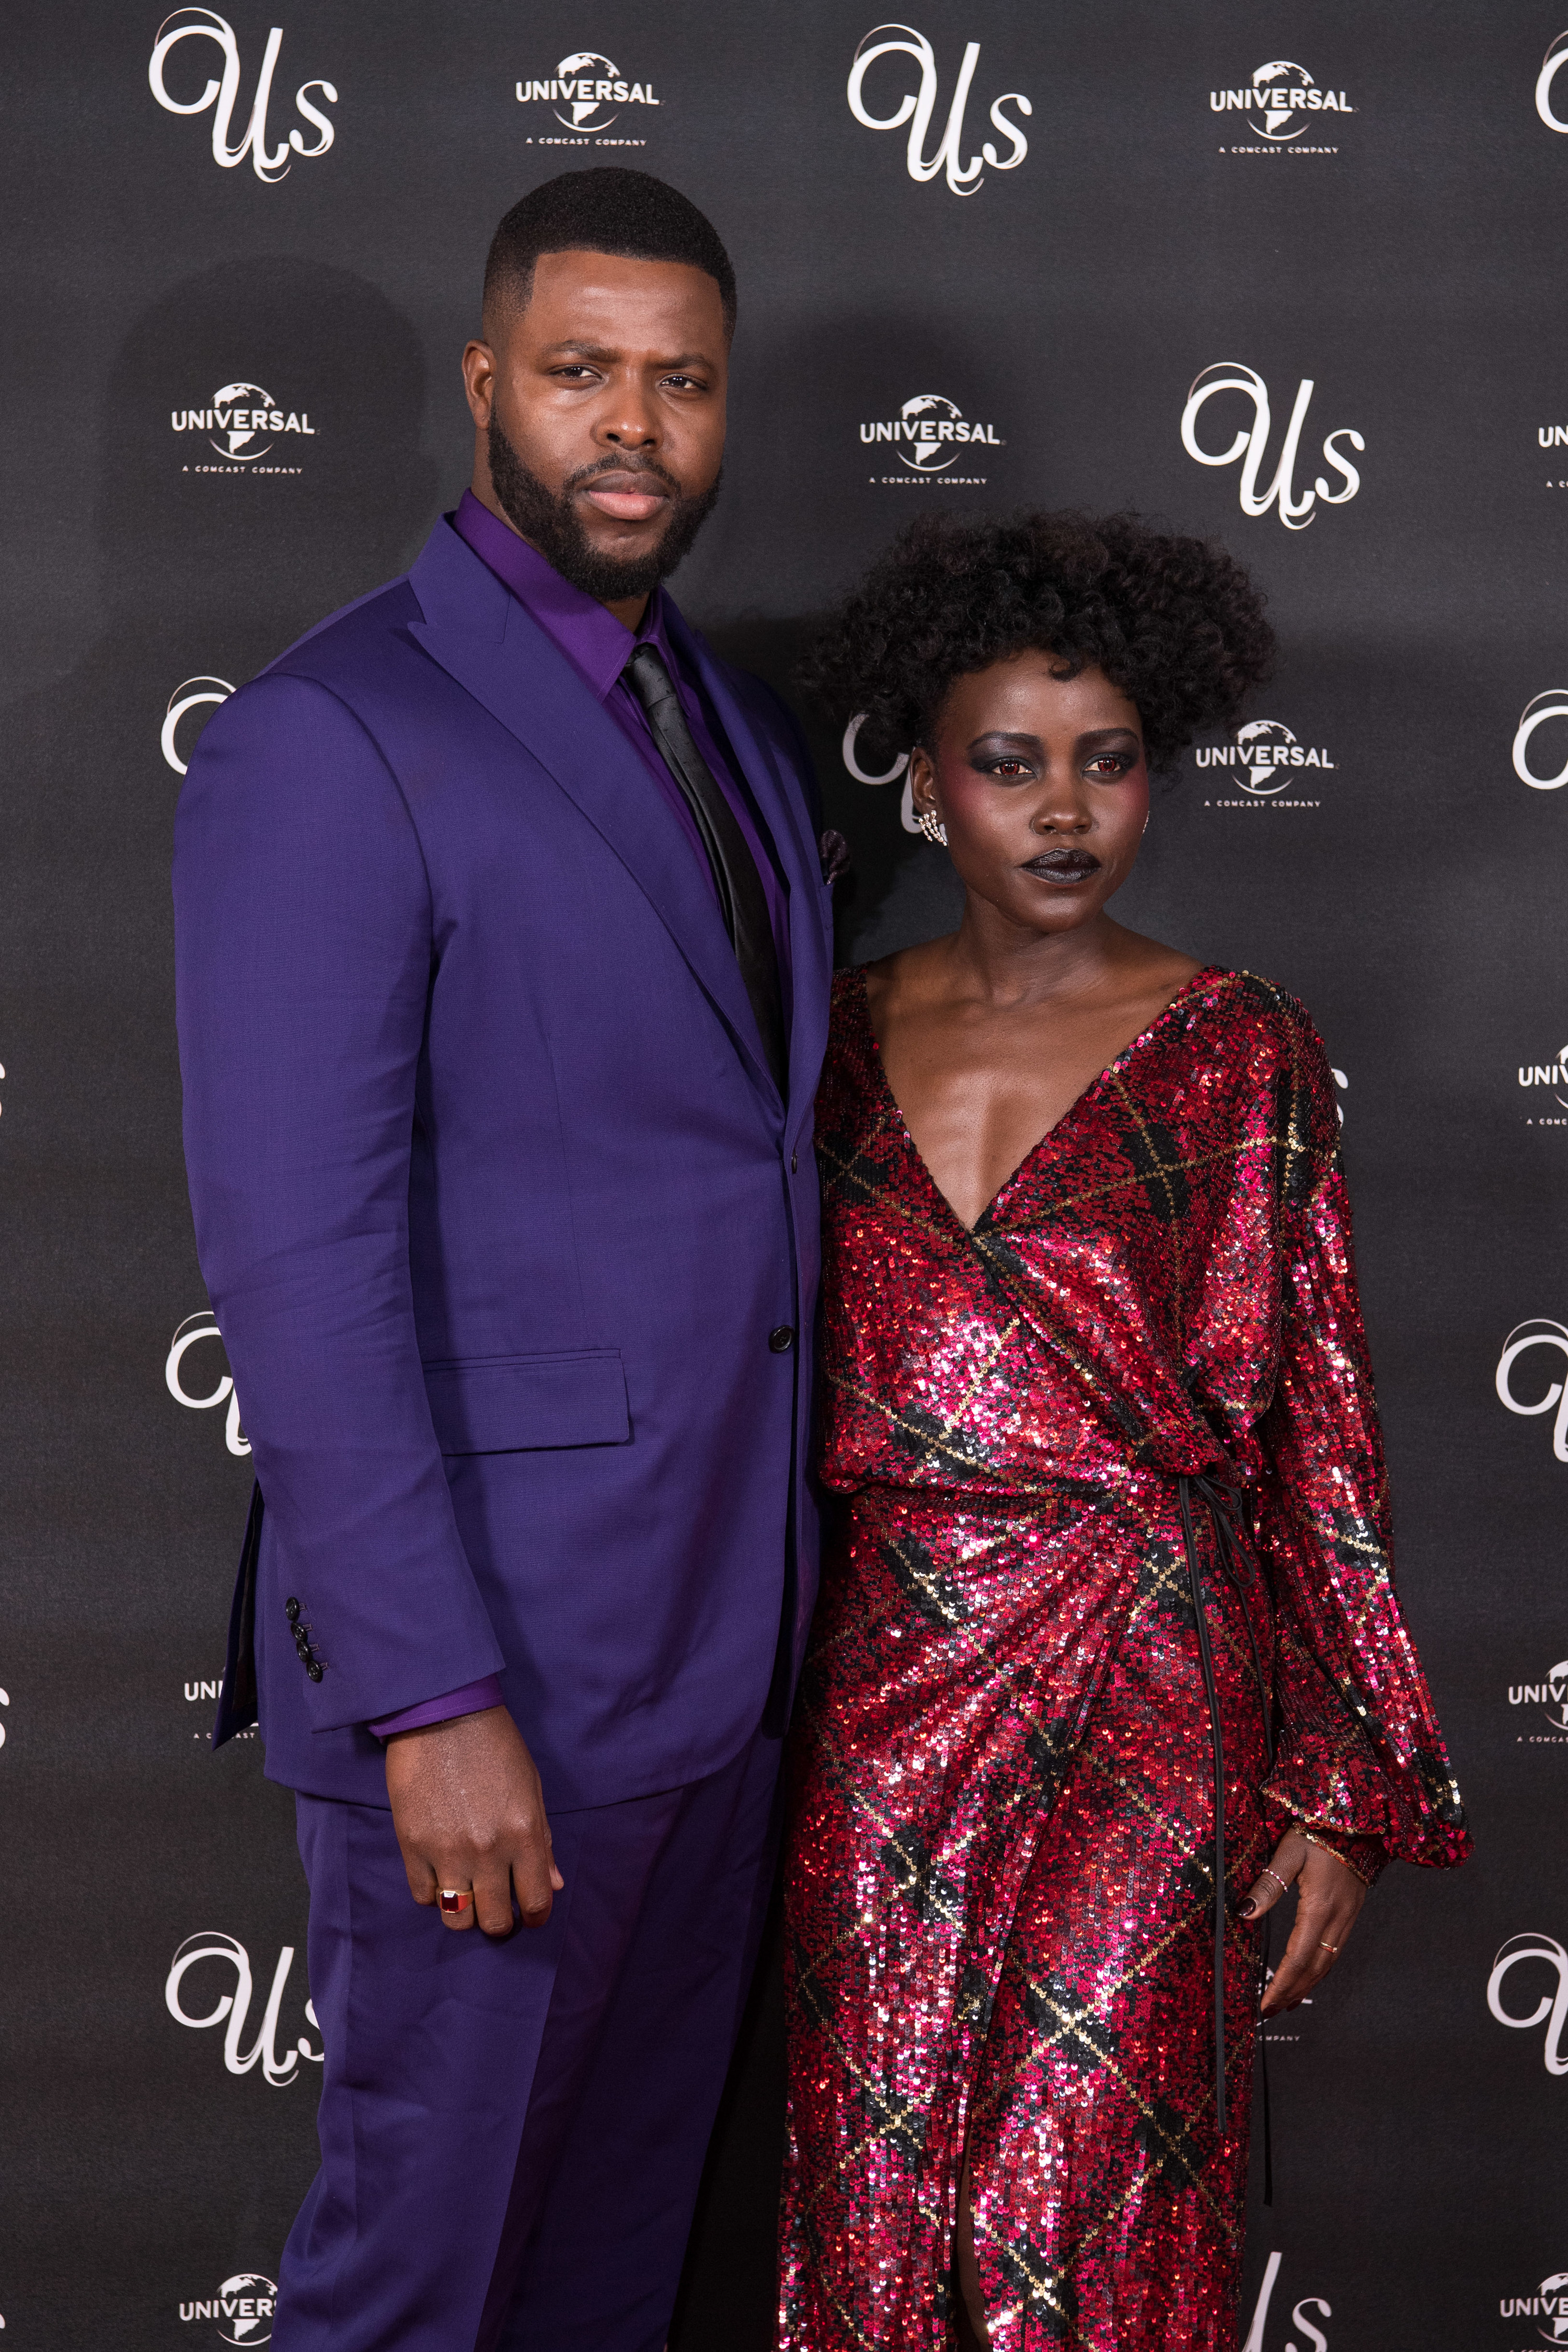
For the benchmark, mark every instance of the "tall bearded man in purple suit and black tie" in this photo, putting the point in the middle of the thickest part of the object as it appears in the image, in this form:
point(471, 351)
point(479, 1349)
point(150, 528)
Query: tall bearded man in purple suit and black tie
point(504, 963)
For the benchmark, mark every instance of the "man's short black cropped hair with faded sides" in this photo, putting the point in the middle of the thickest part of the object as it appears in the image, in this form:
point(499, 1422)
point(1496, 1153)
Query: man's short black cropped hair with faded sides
point(608, 211)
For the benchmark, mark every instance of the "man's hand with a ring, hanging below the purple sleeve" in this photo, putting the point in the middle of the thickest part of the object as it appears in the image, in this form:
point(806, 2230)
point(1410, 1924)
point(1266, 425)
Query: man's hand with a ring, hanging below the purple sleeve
point(469, 1812)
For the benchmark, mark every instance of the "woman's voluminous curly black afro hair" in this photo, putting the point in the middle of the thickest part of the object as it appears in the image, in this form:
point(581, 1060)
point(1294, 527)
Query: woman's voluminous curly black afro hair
point(1174, 624)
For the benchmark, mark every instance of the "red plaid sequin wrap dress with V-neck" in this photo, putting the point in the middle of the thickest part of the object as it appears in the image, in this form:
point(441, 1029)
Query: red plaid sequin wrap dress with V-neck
point(1000, 1897)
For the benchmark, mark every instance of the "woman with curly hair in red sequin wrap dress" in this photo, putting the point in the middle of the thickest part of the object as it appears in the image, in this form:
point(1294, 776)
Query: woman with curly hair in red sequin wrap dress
point(1115, 1506)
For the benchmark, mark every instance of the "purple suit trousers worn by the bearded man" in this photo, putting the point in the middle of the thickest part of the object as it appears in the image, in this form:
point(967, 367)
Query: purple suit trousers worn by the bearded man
point(514, 2132)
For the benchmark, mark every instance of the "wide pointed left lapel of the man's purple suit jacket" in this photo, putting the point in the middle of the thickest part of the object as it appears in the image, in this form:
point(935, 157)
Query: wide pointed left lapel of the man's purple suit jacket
point(478, 634)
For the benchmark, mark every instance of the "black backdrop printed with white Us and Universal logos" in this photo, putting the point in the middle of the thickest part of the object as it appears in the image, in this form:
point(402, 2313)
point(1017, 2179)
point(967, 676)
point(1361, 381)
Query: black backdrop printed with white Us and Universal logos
point(1386, 229)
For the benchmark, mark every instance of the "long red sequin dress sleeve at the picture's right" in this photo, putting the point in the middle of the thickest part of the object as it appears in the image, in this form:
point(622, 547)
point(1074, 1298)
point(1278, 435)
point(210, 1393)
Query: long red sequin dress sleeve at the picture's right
point(1360, 1749)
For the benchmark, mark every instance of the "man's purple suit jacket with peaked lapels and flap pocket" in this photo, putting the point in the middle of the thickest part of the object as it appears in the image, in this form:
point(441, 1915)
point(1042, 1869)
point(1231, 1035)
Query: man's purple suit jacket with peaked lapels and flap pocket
point(497, 1203)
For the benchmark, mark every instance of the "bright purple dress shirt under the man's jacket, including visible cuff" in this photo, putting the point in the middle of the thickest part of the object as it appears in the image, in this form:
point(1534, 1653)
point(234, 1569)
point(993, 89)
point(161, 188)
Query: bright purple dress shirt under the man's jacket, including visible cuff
point(601, 648)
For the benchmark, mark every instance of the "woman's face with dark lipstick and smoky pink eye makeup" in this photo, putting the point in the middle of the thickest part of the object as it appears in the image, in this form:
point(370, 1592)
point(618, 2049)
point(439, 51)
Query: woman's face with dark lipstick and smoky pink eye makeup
point(1043, 787)
